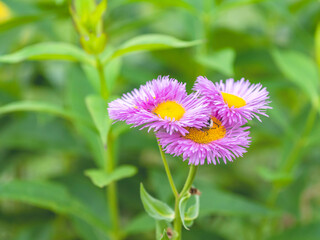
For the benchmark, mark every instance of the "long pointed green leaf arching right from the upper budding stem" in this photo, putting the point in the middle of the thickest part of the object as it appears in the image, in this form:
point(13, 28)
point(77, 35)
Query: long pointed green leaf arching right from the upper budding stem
point(149, 42)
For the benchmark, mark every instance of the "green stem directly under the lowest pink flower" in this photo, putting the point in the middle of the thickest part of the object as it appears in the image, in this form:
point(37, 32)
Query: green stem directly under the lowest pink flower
point(177, 224)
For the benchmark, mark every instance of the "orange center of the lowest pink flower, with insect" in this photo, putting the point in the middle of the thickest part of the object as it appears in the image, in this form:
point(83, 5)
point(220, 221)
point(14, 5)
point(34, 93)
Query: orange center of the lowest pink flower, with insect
point(207, 135)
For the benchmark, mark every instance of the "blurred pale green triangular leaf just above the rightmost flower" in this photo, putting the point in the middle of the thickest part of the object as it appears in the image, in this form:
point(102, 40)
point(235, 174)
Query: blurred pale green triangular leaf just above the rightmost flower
point(221, 61)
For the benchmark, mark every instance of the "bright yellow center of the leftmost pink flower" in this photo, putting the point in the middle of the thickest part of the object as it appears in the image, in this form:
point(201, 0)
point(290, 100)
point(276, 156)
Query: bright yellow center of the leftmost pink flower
point(169, 109)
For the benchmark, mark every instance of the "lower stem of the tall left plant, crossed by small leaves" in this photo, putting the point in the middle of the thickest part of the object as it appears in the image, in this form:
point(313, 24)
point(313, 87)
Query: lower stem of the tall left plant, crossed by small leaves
point(112, 189)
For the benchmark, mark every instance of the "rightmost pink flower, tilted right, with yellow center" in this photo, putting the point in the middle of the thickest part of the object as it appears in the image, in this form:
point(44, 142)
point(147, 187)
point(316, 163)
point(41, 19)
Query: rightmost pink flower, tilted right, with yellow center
point(236, 102)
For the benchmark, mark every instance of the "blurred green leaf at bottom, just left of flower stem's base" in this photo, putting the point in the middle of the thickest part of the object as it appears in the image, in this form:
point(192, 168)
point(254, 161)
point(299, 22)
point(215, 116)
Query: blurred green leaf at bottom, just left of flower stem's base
point(141, 223)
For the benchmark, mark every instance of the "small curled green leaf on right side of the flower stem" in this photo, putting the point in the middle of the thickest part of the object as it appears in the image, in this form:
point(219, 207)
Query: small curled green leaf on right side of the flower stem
point(192, 213)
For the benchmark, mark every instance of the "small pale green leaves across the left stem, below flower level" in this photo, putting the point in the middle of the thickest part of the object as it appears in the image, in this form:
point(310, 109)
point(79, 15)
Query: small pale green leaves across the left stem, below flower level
point(101, 179)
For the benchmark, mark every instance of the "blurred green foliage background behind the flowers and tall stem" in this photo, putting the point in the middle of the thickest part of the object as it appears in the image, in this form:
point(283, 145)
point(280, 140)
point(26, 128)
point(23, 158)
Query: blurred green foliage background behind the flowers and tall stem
point(273, 192)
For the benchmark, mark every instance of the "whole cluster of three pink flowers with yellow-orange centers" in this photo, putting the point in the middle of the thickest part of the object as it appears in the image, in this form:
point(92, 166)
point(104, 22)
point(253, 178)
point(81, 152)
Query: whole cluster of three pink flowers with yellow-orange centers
point(204, 126)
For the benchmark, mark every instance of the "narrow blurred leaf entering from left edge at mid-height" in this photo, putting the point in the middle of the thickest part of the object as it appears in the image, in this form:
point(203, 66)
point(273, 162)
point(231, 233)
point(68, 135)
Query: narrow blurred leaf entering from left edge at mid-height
point(41, 107)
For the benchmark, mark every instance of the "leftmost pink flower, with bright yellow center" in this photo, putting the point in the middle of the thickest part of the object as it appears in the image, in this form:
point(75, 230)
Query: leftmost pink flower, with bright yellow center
point(162, 103)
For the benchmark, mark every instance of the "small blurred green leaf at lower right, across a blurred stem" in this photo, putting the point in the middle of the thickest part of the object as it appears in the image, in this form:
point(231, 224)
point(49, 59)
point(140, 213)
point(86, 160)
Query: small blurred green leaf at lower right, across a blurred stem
point(278, 178)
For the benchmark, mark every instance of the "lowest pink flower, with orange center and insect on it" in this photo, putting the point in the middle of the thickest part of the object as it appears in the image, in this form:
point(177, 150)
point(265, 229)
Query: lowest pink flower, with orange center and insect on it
point(209, 144)
